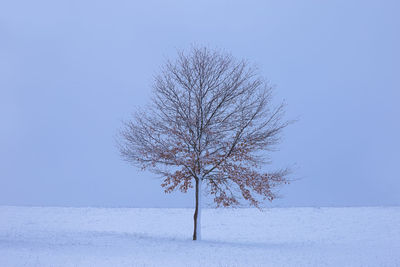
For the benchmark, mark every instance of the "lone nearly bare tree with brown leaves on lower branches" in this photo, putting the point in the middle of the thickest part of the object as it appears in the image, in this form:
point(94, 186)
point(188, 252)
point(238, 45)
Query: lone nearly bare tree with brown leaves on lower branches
point(209, 125)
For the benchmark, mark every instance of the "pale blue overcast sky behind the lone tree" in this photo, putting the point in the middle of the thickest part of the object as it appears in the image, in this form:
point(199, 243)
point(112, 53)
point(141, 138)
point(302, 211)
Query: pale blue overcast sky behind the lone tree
point(72, 71)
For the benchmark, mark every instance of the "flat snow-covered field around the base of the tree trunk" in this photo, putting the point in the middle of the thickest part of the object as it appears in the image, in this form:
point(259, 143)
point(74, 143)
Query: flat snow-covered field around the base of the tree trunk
point(231, 237)
